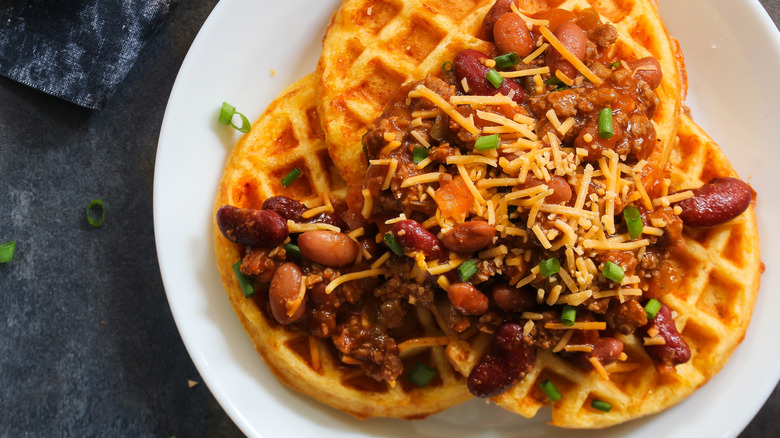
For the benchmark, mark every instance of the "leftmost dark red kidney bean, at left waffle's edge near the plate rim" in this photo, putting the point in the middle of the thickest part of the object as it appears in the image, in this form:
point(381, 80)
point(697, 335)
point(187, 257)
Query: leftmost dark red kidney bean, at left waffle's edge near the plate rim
point(248, 227)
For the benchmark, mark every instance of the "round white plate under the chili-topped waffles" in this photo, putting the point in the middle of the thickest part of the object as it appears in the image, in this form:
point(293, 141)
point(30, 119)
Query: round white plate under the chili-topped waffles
point(733, 54)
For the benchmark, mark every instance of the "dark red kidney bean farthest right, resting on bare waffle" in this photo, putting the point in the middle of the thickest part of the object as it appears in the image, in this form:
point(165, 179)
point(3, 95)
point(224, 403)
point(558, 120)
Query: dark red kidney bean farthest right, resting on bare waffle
point(716, 202)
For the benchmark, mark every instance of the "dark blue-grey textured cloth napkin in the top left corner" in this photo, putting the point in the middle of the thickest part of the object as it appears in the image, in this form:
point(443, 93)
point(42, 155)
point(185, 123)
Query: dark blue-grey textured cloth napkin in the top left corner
point(79, 50)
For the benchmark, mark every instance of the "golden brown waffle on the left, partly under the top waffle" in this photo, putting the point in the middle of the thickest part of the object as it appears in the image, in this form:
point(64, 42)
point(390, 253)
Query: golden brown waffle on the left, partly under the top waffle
point(288, 135)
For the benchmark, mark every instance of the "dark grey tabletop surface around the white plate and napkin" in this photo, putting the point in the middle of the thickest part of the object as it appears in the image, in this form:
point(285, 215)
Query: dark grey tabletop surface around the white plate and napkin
point(88, 346)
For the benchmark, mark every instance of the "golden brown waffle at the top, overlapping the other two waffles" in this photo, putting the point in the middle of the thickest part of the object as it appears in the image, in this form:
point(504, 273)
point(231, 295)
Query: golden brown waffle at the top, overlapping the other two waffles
point(372, 47)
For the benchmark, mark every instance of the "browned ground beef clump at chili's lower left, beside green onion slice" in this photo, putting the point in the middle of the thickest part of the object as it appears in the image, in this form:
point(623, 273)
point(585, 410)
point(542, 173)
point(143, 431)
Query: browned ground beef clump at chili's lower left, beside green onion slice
point(370, 344)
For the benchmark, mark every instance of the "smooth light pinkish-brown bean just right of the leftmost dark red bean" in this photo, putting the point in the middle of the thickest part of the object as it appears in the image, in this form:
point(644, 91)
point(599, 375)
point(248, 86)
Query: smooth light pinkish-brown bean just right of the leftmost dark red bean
point(328, 248)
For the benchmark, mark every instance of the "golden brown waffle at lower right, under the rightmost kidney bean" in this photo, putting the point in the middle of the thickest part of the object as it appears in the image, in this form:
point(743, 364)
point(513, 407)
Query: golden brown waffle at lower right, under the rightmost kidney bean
point(714, 304)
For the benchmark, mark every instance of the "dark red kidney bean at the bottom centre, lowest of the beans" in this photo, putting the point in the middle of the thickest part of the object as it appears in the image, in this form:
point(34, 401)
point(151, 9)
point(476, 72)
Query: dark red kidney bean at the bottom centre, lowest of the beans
point(511, 359)
